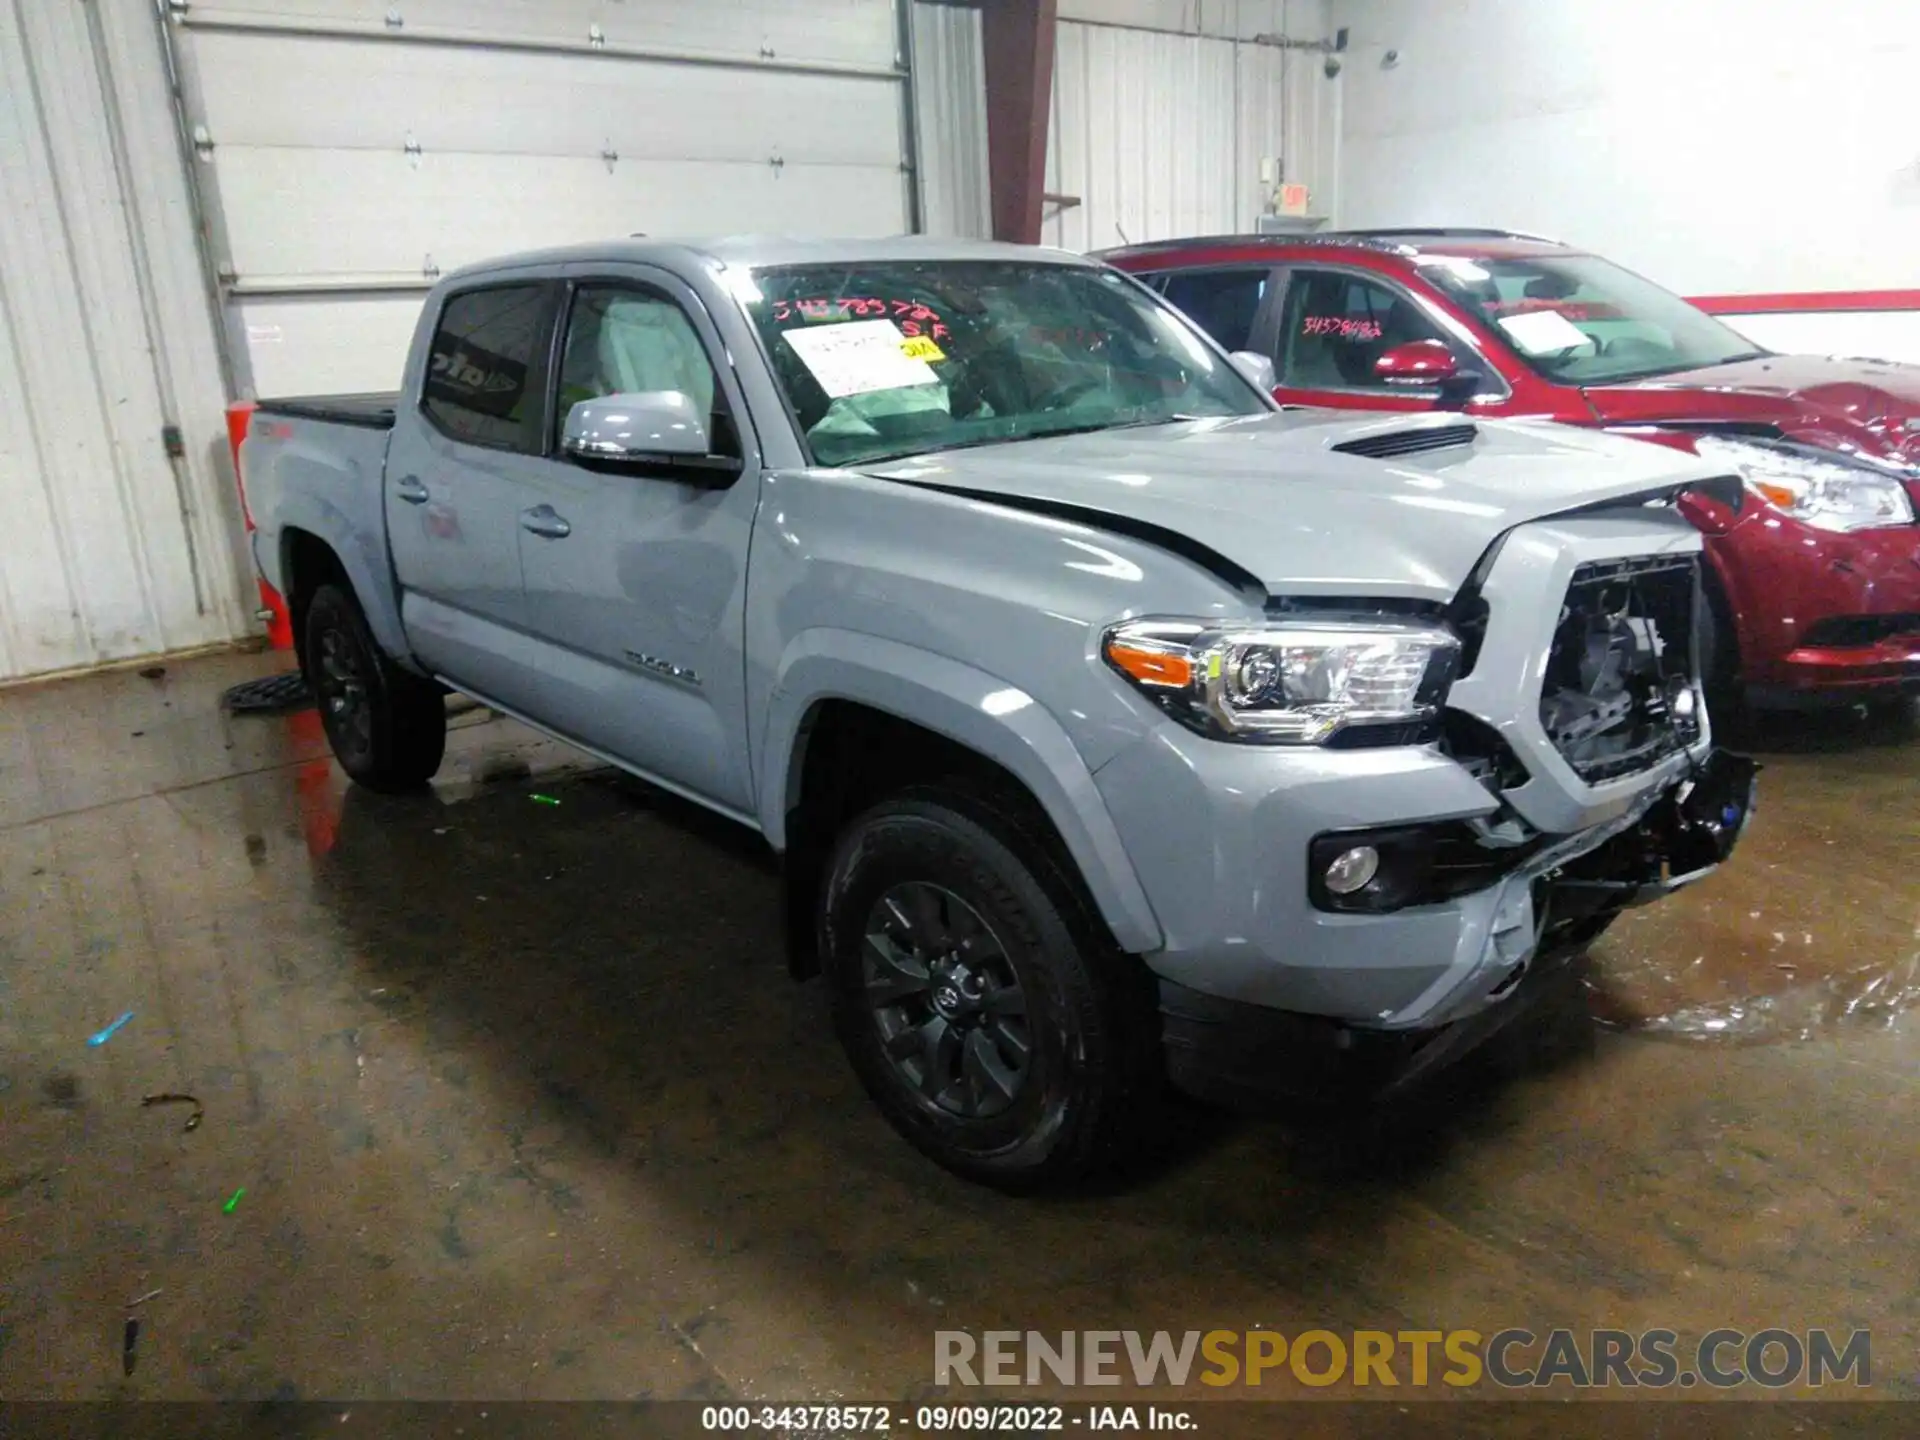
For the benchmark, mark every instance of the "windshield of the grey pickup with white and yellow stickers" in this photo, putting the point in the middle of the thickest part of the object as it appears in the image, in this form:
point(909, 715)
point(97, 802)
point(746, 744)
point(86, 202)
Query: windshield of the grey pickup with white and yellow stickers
point(888, 360)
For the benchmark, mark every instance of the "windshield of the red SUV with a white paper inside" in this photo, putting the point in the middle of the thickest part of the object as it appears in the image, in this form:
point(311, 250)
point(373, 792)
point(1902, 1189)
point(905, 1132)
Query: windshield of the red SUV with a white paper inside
point(1583, 322)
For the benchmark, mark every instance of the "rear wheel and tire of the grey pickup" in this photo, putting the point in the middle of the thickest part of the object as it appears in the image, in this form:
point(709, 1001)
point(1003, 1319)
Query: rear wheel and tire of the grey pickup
point(389, 727)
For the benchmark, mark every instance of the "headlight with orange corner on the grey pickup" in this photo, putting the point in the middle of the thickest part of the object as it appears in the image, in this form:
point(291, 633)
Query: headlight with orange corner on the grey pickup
point(1291, 684)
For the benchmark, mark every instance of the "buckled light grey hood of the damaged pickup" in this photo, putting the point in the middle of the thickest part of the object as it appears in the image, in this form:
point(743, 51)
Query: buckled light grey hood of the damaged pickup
point(1276, 500)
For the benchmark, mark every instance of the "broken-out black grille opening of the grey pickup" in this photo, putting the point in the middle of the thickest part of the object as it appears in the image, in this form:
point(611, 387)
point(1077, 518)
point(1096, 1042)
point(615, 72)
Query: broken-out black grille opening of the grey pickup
point(1620, 681)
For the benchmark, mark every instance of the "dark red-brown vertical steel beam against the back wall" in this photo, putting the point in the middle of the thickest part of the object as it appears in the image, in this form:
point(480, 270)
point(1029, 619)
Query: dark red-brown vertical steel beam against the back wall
point(1019, 53)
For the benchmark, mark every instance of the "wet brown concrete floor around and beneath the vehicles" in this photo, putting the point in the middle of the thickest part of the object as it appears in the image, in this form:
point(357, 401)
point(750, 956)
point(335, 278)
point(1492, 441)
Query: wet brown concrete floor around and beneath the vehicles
point(525, 1105)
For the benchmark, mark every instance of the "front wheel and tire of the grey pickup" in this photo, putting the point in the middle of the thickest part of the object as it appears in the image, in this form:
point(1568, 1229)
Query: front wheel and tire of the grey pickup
point(982, 1007)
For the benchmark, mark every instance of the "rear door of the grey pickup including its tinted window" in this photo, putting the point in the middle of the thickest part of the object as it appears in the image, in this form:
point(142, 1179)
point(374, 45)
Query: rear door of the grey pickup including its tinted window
point(466, 448)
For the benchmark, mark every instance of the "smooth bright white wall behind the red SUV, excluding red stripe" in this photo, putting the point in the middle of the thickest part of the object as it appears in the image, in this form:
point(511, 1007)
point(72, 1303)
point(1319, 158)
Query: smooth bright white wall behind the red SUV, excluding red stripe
point(1717, 147)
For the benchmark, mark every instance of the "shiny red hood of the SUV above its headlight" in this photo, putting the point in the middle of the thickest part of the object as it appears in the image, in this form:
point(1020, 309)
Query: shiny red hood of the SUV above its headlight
point(1844, 404)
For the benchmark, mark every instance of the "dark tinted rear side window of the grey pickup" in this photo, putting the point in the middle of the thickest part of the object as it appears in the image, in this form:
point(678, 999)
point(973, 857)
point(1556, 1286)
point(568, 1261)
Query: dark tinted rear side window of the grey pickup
point(481, 375)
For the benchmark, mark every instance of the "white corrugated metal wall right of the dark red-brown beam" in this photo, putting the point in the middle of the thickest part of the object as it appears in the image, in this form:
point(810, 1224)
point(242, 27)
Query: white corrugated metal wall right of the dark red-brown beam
point(1163, 135)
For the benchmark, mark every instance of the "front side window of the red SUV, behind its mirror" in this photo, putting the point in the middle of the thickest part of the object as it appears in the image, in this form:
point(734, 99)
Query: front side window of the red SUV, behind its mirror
point(1335, 325)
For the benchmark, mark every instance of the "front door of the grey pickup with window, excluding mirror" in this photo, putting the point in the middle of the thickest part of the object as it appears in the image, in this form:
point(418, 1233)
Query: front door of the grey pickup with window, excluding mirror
point(636, 581)
